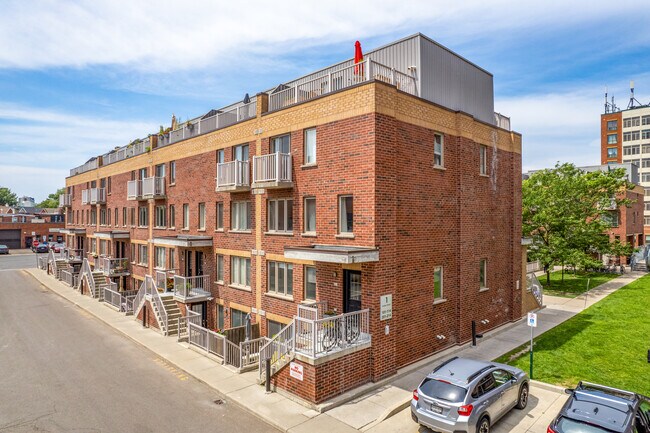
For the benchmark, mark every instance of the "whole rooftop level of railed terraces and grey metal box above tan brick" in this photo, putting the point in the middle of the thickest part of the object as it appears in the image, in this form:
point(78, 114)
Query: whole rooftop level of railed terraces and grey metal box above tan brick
point(416, 65)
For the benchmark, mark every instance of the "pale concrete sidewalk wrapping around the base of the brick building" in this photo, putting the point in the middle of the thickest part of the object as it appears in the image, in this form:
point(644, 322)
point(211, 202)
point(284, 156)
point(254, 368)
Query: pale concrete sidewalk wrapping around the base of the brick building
point(368, 408)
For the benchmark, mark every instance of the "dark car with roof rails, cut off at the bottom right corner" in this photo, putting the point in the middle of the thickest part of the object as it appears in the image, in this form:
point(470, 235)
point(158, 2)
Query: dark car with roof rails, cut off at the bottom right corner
point(596, 408)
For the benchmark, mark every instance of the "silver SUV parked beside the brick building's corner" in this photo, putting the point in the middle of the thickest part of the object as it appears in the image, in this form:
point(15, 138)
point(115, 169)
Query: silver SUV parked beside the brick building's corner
point(467, 395)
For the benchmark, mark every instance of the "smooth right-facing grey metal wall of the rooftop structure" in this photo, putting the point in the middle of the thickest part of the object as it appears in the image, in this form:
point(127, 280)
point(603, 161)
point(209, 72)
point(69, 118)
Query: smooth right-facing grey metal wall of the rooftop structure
point(453, 82)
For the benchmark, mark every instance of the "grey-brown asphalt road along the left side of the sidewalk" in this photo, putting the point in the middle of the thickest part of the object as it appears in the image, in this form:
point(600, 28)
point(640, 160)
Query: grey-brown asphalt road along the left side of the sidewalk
point(62, 370)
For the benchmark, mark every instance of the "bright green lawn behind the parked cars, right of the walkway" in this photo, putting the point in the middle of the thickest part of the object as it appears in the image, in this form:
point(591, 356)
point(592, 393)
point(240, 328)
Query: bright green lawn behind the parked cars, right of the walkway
point(607, 343)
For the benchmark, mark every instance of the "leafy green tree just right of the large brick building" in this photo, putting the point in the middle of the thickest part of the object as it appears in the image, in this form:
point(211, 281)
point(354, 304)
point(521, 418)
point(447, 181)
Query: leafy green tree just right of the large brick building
point(566, 212)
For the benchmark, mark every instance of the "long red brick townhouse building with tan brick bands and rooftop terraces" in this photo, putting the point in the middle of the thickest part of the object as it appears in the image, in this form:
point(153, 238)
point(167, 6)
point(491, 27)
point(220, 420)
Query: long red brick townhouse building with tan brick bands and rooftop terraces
point(385, 194)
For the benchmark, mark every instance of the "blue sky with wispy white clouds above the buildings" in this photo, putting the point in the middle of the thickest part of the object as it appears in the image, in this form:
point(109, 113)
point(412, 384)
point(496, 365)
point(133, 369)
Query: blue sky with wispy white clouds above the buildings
point(78, 78)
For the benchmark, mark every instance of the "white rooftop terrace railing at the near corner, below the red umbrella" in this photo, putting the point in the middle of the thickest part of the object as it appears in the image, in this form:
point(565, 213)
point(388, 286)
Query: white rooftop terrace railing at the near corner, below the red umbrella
point(334, 80)
